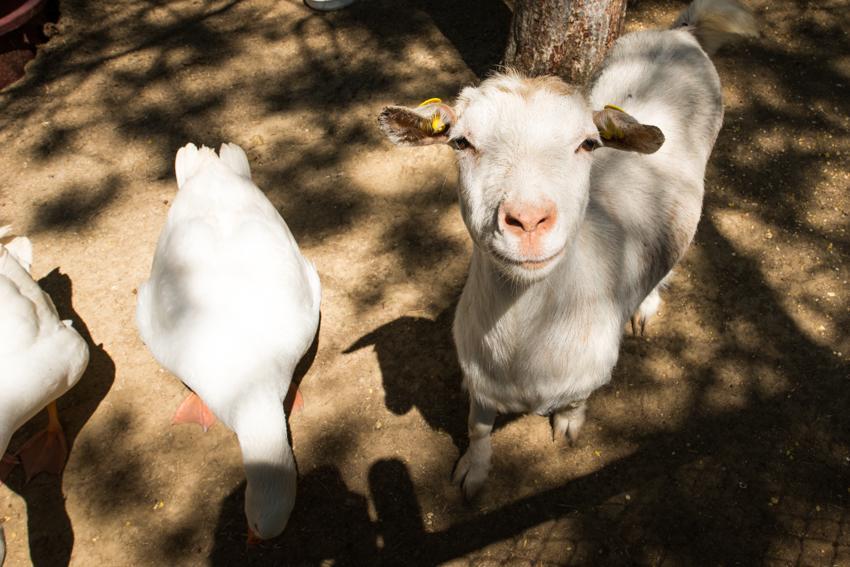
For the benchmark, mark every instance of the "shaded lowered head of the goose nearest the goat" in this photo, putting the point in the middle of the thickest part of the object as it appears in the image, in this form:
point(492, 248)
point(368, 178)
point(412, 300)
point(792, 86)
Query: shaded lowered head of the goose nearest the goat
point(269, 498)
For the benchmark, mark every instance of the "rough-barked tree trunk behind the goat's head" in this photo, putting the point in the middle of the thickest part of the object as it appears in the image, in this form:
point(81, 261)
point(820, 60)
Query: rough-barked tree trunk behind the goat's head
point(567, 38)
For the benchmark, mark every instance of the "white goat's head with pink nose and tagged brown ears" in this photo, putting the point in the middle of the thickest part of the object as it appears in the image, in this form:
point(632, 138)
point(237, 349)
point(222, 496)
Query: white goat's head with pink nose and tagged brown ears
point(524, 148)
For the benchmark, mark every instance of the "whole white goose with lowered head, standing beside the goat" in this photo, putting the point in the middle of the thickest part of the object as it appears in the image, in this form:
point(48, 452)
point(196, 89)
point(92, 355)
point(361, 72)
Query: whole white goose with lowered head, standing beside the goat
point(230, 308)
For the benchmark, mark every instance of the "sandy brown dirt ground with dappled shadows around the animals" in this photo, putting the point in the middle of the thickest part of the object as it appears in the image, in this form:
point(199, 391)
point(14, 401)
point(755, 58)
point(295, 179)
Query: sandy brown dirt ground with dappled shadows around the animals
point(723, 438)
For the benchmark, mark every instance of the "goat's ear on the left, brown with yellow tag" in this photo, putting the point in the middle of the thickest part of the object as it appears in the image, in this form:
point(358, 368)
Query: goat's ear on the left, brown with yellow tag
point(429, 123)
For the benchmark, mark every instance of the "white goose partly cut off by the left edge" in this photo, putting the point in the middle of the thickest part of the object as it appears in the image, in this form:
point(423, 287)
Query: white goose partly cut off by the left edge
point(41, 358)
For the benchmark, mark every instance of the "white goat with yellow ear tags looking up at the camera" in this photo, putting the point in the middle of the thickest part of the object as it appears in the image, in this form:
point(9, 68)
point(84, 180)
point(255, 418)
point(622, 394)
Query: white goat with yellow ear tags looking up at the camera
point(577, 210)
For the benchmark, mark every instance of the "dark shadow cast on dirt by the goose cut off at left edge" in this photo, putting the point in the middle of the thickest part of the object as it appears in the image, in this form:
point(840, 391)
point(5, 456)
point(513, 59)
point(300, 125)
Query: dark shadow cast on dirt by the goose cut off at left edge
point(51, 535)
